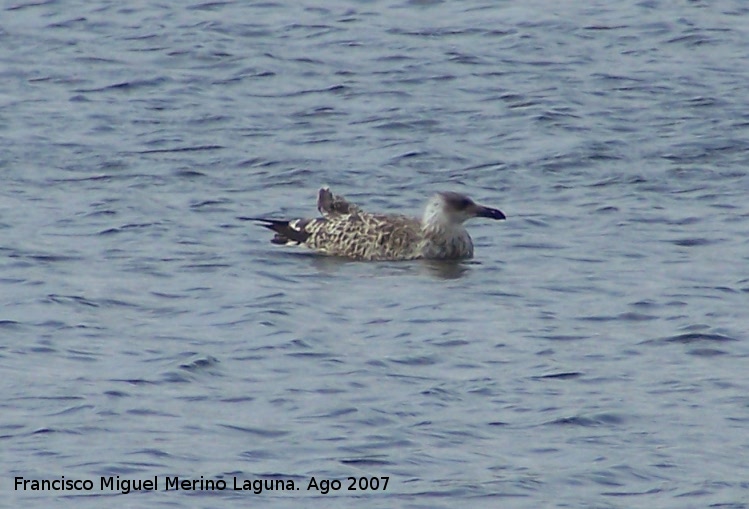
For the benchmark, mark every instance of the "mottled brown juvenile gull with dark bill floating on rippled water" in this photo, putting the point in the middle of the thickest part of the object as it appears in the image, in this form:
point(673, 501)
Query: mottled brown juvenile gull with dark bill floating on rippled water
point(346, 230)
